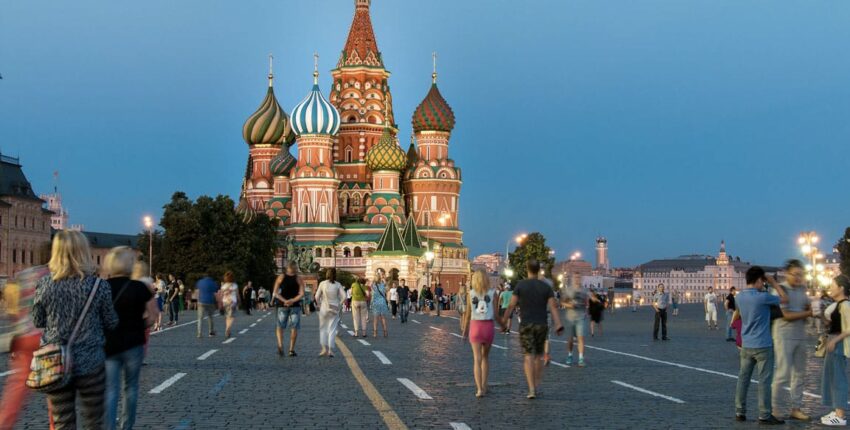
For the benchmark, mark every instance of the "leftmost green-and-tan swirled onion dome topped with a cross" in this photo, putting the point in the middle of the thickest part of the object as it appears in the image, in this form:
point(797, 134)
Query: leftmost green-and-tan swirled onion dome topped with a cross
point(269, 124)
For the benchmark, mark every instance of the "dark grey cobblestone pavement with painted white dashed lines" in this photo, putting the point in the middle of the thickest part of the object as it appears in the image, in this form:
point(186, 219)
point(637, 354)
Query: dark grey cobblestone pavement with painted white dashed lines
point(631, 381)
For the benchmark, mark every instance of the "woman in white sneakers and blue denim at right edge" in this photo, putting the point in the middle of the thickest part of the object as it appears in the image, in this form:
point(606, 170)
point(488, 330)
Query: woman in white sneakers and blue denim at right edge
point(834, 378)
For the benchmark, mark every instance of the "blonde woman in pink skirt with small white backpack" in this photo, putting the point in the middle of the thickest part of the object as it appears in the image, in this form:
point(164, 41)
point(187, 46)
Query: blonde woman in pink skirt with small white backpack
point(478, 324)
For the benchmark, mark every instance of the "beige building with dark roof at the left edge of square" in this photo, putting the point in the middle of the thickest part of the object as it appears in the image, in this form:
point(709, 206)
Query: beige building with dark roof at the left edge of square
point(24, 222)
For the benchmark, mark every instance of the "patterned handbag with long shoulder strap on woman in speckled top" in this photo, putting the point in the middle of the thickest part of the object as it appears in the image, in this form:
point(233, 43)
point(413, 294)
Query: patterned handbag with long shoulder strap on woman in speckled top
point(52, 364)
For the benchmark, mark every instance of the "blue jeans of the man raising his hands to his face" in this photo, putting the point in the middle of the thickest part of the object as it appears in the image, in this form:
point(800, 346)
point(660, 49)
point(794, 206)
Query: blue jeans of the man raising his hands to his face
point(752, 358)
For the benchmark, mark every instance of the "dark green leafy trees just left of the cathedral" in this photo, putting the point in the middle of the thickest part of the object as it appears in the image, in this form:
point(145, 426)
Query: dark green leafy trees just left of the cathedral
point(207, 237)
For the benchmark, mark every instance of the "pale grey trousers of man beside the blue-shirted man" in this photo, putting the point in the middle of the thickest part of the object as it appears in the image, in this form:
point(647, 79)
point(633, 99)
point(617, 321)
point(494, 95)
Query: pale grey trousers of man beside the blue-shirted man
point(790, 370)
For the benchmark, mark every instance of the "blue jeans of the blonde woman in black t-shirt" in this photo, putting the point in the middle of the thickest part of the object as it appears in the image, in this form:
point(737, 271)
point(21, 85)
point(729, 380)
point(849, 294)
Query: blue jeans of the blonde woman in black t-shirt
point(130, 361)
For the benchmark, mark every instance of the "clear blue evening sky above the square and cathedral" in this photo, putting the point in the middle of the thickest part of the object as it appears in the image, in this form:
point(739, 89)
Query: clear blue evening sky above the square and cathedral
point(664, 125)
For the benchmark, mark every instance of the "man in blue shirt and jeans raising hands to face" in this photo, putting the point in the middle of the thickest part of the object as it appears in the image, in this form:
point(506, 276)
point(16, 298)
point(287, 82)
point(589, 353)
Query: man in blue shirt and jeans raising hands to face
point(757, 345)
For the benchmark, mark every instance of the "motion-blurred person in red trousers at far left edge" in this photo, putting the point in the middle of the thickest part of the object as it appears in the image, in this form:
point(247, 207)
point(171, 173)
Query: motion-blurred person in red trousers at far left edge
point(21, 338)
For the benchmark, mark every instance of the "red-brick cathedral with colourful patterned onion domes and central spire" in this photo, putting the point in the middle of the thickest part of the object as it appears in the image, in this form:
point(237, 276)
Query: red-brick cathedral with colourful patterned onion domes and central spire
point(353, 198)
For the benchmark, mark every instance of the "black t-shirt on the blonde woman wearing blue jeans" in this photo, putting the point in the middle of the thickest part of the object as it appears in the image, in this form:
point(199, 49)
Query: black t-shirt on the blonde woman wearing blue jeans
point(130, 307)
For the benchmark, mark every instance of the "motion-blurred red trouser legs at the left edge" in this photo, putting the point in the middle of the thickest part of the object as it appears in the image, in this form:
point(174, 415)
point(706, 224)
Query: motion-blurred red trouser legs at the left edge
point(15, 391)
